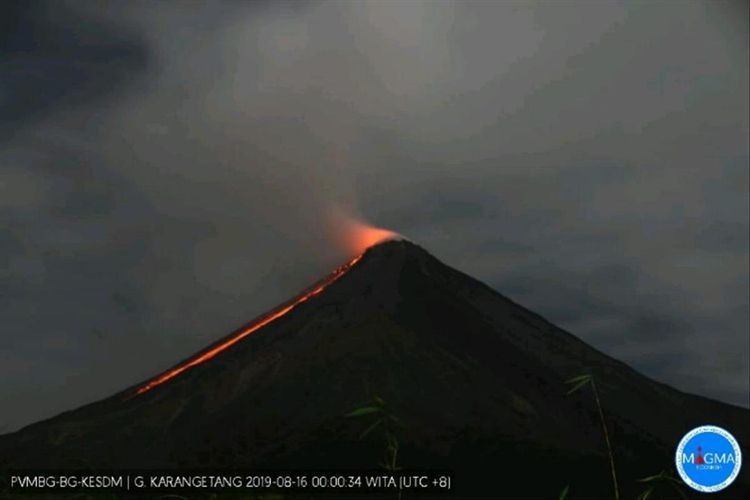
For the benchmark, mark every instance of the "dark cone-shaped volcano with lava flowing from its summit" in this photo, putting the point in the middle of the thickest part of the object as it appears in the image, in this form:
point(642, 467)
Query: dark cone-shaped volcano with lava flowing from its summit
point(476, 381)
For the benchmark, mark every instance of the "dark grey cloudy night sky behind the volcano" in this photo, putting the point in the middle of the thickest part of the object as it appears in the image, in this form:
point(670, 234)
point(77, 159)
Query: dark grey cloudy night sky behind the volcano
point(168, 170)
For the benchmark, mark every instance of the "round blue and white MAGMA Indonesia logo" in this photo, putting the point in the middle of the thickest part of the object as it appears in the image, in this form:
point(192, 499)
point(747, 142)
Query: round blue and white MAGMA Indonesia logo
point(708, 458)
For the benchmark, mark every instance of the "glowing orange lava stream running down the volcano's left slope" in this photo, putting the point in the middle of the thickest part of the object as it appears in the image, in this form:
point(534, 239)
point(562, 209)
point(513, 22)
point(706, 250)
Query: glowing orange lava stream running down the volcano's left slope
point(249, 329)
